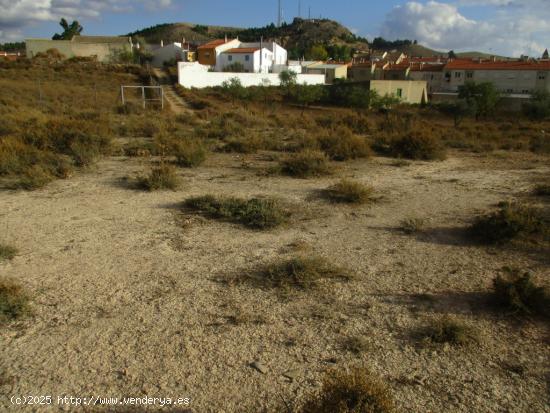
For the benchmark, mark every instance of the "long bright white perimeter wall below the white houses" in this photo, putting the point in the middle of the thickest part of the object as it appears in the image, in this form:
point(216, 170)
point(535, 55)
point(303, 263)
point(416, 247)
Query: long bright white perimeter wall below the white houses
point(196, 75)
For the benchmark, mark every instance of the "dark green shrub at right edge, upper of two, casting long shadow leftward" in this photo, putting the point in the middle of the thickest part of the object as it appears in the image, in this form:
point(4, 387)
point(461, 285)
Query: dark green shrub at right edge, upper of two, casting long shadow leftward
point(511, 221)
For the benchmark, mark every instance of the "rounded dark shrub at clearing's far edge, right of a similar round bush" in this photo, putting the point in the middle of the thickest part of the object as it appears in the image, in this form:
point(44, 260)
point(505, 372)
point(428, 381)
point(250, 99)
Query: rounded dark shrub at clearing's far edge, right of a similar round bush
point(417, 145)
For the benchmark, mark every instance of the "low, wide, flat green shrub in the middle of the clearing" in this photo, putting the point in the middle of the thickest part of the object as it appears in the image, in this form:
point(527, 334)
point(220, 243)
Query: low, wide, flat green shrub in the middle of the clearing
point(254, 213)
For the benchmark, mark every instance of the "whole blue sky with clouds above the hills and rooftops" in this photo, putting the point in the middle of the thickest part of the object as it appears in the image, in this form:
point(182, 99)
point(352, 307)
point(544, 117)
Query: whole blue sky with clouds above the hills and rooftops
point(503, 27)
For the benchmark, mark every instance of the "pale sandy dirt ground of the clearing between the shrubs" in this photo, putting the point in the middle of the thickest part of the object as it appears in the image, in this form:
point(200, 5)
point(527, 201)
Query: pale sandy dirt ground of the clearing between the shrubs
point(129, 299)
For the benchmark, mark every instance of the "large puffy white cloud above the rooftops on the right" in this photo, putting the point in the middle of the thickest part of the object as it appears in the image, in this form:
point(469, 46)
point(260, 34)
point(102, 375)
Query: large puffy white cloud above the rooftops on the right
point(515, 27)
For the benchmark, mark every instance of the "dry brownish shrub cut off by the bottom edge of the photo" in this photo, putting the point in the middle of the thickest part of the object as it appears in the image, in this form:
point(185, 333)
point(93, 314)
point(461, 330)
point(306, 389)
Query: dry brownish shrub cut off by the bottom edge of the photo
point(358, 391)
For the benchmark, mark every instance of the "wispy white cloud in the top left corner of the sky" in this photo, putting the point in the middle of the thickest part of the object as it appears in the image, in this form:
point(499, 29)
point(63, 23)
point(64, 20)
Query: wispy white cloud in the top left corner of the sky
point(16, 15)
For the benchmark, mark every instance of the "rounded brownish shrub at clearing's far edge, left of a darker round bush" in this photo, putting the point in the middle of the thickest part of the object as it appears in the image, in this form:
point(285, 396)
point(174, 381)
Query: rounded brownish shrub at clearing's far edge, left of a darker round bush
point(341, 144)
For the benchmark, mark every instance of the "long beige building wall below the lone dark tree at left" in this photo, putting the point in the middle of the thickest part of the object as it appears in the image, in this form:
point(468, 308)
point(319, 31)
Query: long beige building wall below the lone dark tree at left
point(104, 51)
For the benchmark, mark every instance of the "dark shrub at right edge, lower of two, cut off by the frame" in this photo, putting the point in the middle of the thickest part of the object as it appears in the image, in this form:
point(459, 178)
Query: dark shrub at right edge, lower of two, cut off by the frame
point(516, 292)
